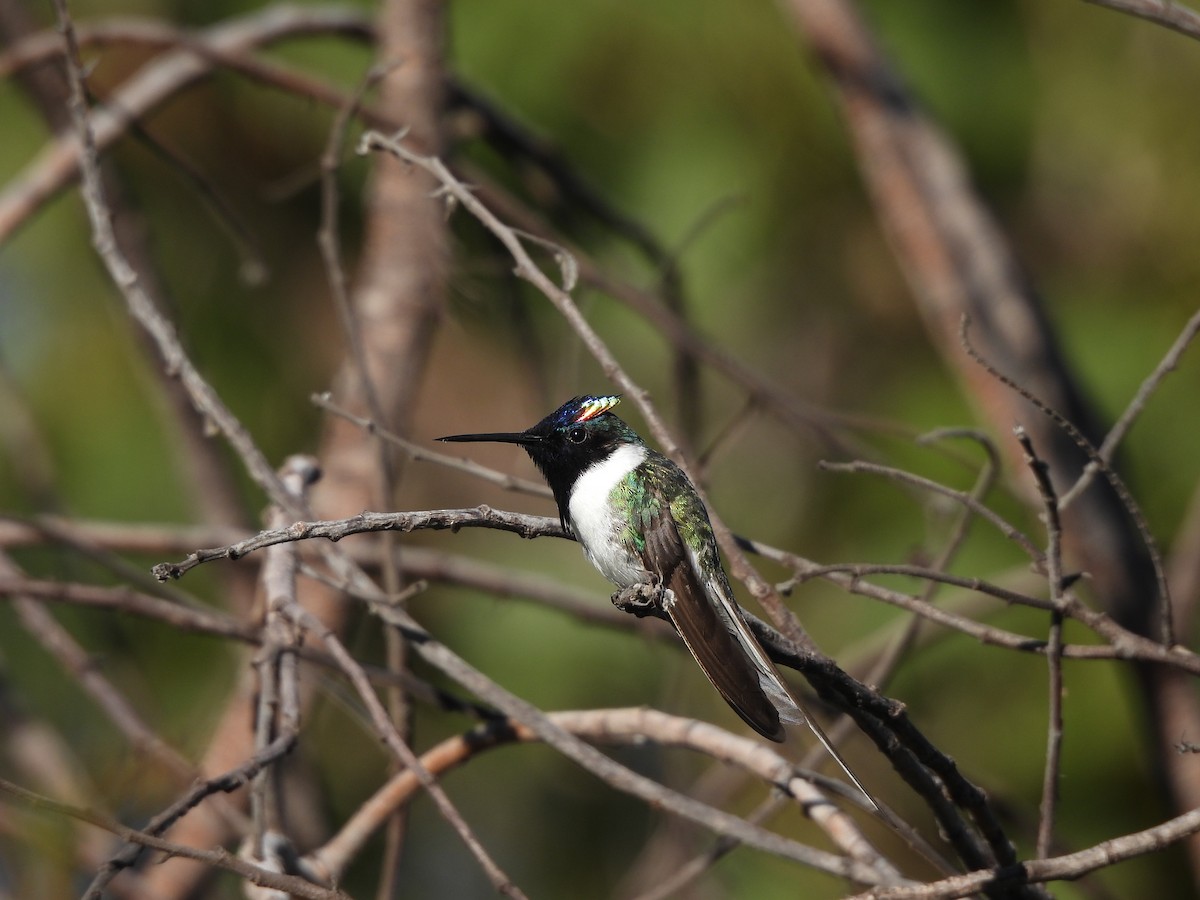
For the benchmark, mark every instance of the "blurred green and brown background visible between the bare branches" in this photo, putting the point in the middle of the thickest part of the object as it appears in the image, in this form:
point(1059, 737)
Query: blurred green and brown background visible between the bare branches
point(706, 123)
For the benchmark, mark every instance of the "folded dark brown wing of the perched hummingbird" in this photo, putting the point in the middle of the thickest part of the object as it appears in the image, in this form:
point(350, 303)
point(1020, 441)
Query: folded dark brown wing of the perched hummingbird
point(706, 627)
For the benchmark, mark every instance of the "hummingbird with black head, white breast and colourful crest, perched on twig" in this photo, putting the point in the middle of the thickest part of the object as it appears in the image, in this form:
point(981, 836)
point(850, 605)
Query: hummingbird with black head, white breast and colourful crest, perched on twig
point(644, 526)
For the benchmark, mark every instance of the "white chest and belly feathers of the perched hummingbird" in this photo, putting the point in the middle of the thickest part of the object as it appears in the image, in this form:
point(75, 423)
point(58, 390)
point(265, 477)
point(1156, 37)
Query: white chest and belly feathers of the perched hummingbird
point(593, 520)
